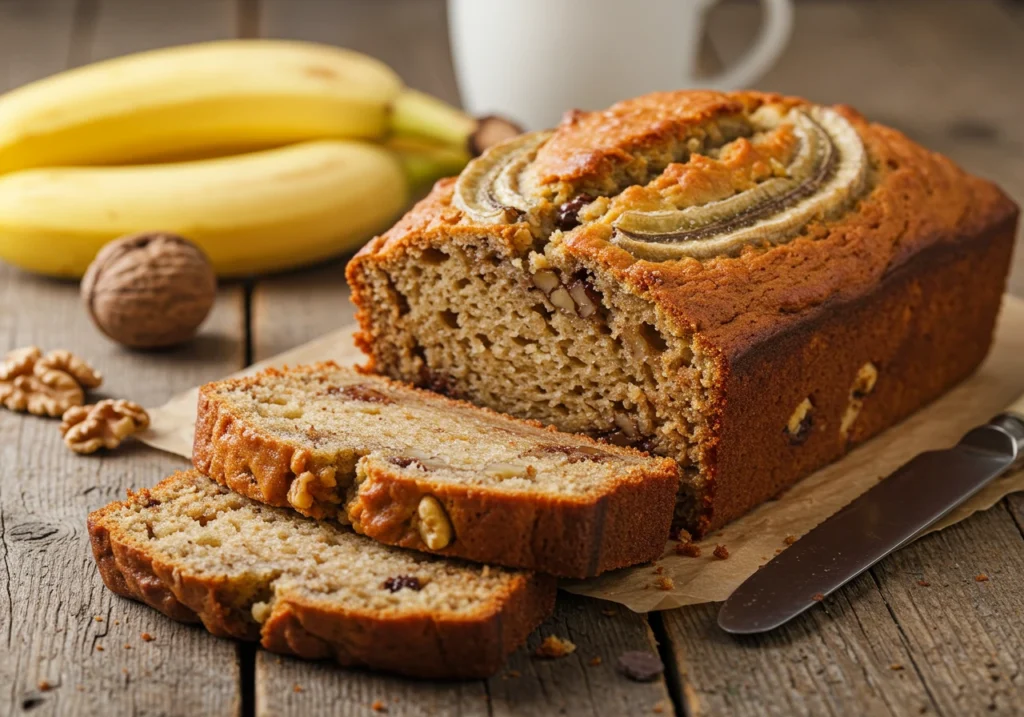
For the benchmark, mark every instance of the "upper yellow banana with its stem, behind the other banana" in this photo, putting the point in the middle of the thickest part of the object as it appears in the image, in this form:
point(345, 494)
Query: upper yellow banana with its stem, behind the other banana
point(216, 99)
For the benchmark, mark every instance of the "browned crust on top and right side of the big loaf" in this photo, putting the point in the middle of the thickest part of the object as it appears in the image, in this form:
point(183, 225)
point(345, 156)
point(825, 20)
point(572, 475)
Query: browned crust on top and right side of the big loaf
point(924, 233)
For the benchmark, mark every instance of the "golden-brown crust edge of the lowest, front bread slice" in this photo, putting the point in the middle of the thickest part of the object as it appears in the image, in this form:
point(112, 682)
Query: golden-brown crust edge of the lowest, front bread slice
point(420, 645)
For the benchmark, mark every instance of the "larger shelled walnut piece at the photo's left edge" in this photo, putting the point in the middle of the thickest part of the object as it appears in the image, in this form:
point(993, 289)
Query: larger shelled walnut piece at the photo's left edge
point(46, 386)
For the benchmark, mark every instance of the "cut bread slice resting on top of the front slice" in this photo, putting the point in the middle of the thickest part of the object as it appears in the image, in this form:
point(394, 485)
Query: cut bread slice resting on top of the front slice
point(412, 469)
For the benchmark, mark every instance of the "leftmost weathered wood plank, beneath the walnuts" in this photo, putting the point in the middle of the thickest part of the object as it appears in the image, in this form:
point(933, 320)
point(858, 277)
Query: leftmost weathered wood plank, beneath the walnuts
point(52, 662)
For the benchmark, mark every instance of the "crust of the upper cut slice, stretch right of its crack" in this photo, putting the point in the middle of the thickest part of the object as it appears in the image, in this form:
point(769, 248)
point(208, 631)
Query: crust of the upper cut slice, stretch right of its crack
point(571, 539)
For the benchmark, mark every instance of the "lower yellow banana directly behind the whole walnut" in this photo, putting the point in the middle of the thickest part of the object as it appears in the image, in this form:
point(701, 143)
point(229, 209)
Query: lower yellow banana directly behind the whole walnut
point(252, 214)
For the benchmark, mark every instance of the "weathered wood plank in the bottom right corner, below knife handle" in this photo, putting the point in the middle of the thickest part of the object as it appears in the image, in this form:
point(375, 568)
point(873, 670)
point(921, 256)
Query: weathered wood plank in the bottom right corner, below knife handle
point(965, 630)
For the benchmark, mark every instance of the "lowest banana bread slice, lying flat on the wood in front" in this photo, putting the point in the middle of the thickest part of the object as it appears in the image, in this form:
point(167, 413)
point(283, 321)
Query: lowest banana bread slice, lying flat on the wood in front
point(196, 552)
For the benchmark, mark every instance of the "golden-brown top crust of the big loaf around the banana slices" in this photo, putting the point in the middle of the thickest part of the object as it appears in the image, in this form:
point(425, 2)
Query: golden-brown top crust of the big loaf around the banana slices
point(919, 198)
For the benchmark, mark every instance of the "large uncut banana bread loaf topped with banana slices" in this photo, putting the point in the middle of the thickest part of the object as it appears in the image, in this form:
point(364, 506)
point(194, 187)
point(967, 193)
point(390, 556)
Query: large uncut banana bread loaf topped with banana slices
point(747, 283)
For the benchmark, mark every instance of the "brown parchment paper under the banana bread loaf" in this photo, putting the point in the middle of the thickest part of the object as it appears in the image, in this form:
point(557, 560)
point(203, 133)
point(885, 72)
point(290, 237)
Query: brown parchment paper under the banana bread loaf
point(754, 539)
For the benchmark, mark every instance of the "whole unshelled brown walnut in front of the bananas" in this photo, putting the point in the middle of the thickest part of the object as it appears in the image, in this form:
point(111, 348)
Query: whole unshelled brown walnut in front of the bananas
point(150, 290)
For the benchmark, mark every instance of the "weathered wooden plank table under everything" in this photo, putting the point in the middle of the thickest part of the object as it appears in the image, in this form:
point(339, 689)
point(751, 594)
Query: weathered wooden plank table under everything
point(916, 636)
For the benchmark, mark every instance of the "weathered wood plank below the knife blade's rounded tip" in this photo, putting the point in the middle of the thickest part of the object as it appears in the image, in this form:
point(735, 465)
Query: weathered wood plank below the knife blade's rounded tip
point(836, 660)
